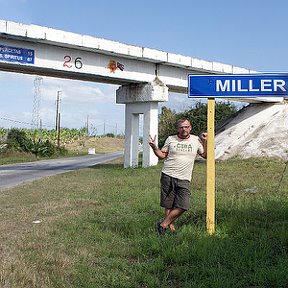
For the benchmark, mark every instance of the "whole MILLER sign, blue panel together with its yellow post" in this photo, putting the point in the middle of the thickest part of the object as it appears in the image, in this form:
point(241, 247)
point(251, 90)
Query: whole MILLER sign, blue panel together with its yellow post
point(229, 86)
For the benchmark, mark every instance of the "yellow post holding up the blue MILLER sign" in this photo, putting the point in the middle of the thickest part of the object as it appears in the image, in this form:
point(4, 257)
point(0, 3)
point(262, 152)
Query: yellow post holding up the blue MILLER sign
point(210, 182)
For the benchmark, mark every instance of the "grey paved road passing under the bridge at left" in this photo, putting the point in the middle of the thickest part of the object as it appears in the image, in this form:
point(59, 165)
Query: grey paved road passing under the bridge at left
point(12, 175)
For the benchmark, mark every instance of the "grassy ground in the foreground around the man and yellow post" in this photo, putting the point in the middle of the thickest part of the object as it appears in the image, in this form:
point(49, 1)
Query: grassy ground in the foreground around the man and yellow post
point(97, 230)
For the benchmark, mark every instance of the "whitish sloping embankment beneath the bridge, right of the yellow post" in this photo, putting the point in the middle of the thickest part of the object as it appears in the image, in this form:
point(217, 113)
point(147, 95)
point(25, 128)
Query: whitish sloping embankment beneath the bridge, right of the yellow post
point(259, 130)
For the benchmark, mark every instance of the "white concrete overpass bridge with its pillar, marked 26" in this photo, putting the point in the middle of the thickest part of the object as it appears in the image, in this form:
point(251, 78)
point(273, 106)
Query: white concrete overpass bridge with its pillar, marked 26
point(145, 75)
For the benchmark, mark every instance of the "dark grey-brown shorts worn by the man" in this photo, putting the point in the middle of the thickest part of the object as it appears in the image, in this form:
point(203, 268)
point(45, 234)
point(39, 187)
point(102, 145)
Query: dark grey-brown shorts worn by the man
point(175, 193)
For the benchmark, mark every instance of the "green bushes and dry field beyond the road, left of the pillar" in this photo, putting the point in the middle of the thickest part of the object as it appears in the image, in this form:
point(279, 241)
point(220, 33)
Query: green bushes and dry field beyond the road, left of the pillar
point(25, 145)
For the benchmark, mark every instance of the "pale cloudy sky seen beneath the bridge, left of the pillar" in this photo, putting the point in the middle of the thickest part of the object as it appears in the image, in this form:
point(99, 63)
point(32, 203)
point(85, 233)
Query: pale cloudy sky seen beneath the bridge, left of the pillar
point(78, 100)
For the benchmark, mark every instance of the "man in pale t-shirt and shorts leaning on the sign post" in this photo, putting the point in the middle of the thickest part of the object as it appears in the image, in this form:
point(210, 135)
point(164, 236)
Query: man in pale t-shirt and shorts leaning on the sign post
point(179, 153)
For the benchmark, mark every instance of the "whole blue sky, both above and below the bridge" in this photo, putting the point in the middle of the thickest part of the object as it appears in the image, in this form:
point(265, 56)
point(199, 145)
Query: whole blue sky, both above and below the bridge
point(248, 33)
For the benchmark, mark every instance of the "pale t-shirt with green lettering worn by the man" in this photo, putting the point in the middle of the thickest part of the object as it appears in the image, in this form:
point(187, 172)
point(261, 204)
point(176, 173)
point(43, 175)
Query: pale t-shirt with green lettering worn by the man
point(181, 156)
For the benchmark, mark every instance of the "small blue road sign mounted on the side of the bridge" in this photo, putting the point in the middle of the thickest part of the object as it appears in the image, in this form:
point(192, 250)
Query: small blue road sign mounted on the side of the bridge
point(15, 54)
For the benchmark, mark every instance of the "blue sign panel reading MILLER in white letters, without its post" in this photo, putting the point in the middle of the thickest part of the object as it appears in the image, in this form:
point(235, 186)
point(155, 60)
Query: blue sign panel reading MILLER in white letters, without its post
point(237, 85)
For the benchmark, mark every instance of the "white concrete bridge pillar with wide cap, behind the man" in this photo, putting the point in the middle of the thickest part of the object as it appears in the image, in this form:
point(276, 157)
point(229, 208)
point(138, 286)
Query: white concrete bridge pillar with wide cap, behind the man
point(141, 99)
